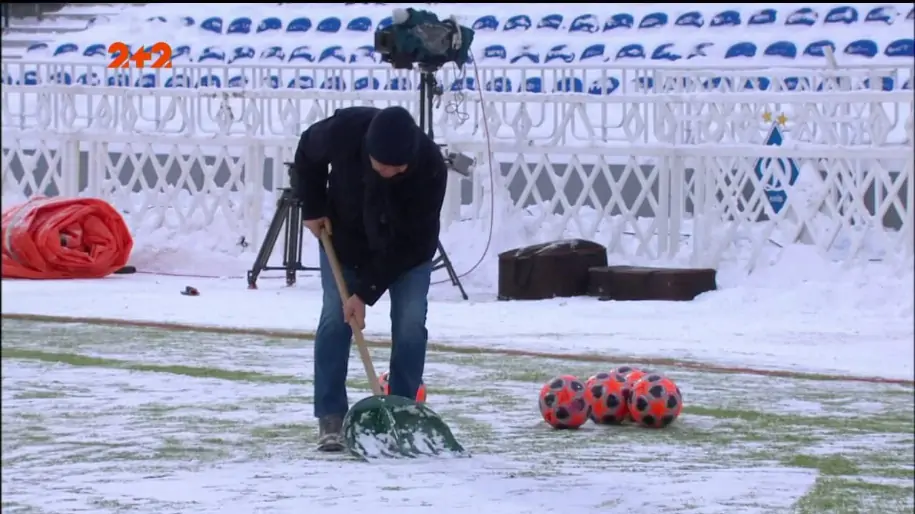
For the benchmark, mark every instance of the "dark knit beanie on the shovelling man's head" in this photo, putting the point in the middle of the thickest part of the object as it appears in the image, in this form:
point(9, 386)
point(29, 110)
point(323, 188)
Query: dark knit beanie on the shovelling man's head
point(392, 136)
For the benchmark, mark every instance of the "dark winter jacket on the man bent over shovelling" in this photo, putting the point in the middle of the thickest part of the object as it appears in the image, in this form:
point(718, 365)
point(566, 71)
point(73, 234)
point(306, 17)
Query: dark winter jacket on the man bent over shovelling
point(380, 227)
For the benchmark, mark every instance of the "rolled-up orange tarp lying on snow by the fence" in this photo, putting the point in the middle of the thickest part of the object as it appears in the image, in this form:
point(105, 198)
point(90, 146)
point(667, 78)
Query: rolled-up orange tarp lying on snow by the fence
point(64, 238)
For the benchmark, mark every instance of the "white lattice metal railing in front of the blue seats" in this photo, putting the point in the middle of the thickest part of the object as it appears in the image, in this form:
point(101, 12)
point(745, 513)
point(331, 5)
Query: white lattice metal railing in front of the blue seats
point(680, 179)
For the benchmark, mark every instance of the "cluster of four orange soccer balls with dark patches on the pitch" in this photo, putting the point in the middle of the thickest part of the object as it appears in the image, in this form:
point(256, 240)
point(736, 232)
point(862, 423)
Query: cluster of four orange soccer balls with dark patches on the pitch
point(625, 393)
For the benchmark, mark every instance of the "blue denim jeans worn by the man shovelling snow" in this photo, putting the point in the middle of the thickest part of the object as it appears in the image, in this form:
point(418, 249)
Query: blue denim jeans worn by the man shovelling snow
point(409, 303)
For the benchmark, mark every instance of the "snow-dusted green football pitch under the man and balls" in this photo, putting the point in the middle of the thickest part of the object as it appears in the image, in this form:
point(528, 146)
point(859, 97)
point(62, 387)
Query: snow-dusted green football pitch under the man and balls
point(101, 419)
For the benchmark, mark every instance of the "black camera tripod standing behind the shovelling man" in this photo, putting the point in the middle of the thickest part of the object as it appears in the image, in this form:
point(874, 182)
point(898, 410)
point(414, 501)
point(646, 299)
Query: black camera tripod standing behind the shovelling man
point(289, 214)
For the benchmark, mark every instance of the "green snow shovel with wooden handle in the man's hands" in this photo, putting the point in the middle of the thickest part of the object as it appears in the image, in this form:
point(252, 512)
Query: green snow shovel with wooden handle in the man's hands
point(387, 425)
